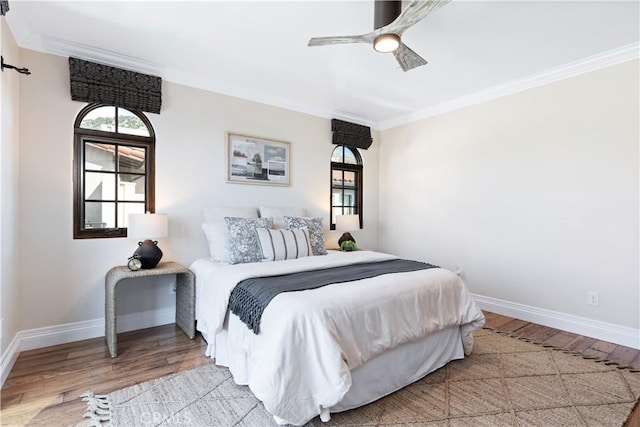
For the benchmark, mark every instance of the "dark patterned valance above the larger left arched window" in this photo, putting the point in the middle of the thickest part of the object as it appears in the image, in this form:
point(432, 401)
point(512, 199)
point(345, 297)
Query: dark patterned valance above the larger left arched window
point(91, 82)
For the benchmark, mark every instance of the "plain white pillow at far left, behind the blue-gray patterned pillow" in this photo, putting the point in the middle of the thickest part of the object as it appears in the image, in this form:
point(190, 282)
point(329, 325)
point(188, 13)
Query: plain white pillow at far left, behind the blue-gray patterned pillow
point(215, 229)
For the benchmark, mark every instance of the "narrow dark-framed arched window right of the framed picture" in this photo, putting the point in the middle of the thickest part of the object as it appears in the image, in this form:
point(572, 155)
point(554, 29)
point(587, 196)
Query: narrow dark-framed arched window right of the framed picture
point(346, 183)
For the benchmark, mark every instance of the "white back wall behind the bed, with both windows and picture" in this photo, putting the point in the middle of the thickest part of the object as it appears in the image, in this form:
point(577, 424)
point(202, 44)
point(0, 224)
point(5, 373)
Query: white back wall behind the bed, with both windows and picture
point(61, 279)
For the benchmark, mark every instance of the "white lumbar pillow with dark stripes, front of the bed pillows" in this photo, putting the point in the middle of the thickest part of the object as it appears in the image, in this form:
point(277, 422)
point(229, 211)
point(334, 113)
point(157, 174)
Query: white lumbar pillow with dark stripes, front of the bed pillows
point(281, 244)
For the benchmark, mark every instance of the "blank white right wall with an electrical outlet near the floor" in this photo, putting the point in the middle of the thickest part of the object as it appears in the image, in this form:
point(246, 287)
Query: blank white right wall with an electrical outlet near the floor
point(534, 195)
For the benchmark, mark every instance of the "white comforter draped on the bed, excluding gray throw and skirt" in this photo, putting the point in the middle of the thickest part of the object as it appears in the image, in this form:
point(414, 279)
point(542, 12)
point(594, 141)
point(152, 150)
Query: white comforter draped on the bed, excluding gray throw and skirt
point(311, 340)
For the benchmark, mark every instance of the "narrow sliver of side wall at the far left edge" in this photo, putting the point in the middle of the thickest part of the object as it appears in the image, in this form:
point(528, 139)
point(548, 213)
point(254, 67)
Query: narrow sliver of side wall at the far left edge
point(9, 92)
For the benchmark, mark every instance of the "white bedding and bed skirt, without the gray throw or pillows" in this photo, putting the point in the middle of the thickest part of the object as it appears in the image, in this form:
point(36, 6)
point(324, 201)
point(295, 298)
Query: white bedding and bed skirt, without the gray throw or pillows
point(338, 346)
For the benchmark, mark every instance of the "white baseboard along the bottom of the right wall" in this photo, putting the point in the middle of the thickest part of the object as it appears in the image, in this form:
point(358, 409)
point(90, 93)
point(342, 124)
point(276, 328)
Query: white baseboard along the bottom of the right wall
point(621, 335)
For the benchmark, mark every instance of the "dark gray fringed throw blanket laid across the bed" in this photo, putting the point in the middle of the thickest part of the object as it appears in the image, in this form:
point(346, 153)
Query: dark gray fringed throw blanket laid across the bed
point(250, 296)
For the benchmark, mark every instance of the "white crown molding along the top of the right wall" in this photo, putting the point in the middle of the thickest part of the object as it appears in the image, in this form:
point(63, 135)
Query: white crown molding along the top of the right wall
point(605, 59)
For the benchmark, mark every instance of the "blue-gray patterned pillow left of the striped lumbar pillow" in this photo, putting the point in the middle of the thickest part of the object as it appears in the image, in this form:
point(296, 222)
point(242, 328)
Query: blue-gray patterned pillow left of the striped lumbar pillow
point(243, 239)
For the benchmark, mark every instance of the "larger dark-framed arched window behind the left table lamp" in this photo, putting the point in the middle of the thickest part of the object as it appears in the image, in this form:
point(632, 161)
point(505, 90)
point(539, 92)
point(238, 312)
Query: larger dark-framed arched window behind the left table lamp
point(114, 170)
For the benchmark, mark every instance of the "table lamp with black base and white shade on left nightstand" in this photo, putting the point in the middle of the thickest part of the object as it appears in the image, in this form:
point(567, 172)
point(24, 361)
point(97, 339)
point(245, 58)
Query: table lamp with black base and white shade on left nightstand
point(148, 226)
